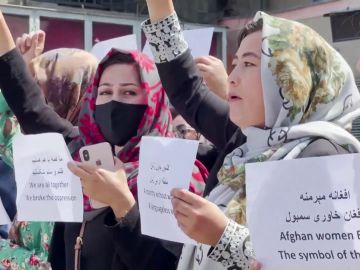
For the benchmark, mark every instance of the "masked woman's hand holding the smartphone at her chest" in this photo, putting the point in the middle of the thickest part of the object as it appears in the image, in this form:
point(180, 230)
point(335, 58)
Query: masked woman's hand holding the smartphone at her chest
point(104, 186)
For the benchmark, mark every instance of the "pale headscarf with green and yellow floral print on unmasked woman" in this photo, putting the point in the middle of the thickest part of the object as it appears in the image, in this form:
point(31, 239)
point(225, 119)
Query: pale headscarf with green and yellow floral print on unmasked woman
point(309, 91)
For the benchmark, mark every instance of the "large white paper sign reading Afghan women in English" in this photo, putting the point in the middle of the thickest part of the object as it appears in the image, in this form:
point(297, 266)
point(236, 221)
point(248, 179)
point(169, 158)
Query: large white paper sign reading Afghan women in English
point(305, 213)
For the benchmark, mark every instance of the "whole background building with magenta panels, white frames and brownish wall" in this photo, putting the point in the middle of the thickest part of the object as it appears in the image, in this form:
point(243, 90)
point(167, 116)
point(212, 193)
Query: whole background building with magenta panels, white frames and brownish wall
point(82, 23)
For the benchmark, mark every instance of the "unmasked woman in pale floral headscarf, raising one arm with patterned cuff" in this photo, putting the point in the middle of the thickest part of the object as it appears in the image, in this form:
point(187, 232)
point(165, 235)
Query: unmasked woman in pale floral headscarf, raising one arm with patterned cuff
point(291, 94)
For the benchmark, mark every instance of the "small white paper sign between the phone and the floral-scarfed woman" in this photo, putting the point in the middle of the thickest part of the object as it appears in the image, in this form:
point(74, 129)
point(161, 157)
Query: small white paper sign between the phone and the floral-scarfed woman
point(165, 163)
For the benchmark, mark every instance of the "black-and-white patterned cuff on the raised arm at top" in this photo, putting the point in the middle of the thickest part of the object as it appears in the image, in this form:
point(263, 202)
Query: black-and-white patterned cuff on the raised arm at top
point(165, 38)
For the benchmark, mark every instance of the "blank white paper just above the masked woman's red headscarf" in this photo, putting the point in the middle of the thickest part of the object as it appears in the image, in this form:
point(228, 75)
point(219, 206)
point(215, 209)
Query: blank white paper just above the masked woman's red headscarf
point(101, 48)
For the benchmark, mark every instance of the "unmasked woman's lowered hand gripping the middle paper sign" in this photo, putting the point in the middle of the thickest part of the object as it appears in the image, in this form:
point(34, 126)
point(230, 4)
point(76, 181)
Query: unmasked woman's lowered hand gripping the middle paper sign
point(200, 219)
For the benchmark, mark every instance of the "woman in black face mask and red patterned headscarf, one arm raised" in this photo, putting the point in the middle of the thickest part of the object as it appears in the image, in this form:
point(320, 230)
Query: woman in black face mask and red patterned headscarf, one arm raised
point(137, 95)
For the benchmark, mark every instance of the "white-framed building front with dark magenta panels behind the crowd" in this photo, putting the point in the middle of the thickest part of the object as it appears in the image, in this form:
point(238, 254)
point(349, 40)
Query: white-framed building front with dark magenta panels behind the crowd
point(82, 23)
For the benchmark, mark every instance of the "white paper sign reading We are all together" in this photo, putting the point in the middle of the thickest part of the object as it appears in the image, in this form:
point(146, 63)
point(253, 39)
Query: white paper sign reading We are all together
point(46, 189)
